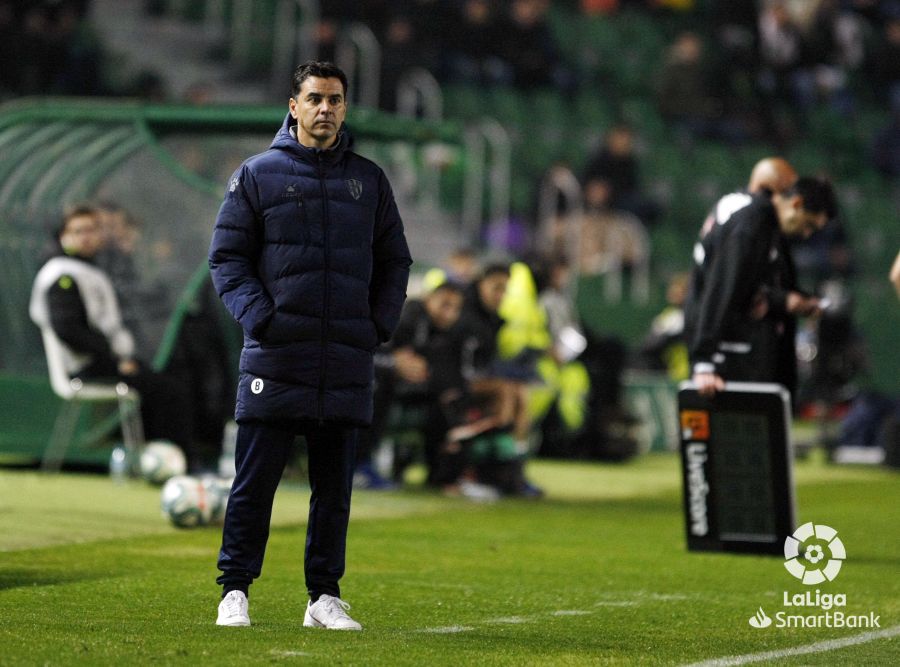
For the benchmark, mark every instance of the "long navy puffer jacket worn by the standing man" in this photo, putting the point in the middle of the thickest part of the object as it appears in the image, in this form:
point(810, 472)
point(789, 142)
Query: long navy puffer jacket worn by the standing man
point(309, 256)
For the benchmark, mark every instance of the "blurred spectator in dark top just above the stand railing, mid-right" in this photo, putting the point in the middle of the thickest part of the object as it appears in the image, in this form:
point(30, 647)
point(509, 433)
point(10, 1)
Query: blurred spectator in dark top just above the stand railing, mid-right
point(615, 164)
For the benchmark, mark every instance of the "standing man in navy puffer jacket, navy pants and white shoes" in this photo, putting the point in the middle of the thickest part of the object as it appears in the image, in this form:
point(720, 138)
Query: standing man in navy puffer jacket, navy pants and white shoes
point(309, 256)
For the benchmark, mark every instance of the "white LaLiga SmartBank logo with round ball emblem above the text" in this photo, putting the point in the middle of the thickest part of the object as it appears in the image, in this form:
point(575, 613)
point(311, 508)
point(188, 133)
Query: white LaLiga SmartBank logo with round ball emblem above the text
point(814, 554)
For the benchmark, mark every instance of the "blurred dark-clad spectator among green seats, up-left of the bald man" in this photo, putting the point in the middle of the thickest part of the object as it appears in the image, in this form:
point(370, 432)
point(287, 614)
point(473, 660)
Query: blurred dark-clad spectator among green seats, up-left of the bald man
point(690, 94)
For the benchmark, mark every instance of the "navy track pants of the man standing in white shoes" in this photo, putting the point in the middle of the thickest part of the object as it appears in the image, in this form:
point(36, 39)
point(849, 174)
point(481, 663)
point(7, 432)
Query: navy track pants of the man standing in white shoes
point(260, 456)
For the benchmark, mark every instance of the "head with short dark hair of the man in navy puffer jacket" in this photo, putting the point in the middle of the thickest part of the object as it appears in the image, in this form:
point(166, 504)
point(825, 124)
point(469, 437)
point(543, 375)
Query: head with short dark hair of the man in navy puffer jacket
point(319, 109)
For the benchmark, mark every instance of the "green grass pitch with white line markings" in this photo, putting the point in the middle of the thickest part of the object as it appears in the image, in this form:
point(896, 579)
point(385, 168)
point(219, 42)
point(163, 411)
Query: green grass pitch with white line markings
point(597, 573)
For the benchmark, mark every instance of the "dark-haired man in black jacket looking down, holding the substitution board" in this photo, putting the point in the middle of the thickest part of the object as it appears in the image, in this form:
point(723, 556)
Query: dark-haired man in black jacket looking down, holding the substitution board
point(742, 304)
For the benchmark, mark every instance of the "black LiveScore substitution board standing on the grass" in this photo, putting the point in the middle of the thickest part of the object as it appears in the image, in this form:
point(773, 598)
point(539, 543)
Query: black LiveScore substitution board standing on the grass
point(737, 459)
